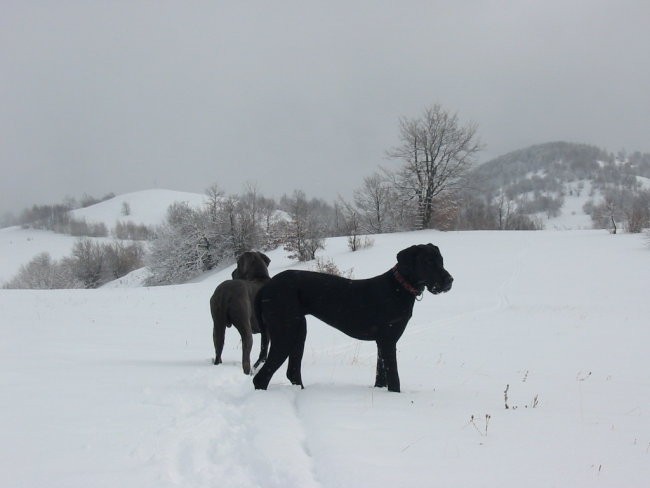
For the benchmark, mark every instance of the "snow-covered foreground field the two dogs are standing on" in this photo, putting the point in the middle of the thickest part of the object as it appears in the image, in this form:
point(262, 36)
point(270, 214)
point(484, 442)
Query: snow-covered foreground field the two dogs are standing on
point(115, 387)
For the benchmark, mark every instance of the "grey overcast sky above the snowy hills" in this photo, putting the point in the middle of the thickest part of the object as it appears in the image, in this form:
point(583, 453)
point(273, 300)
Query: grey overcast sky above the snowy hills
point(119, 96)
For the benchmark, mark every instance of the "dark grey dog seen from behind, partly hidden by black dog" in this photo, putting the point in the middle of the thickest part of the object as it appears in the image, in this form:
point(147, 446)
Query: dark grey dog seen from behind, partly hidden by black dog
point(232, 304)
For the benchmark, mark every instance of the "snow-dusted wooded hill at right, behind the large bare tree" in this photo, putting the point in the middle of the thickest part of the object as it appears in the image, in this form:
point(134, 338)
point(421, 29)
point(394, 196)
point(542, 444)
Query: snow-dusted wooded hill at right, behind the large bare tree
point(554, 181)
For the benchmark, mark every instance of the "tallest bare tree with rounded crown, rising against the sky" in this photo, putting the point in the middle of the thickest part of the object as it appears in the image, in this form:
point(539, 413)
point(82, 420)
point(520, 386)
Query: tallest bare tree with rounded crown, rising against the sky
point(436, 152)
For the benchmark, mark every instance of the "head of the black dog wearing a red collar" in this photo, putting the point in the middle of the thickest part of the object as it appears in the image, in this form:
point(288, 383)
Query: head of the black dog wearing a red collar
point(422, 266)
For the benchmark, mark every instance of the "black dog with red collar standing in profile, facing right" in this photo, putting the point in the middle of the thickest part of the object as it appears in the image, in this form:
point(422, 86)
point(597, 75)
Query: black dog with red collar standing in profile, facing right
point(376, 309)
